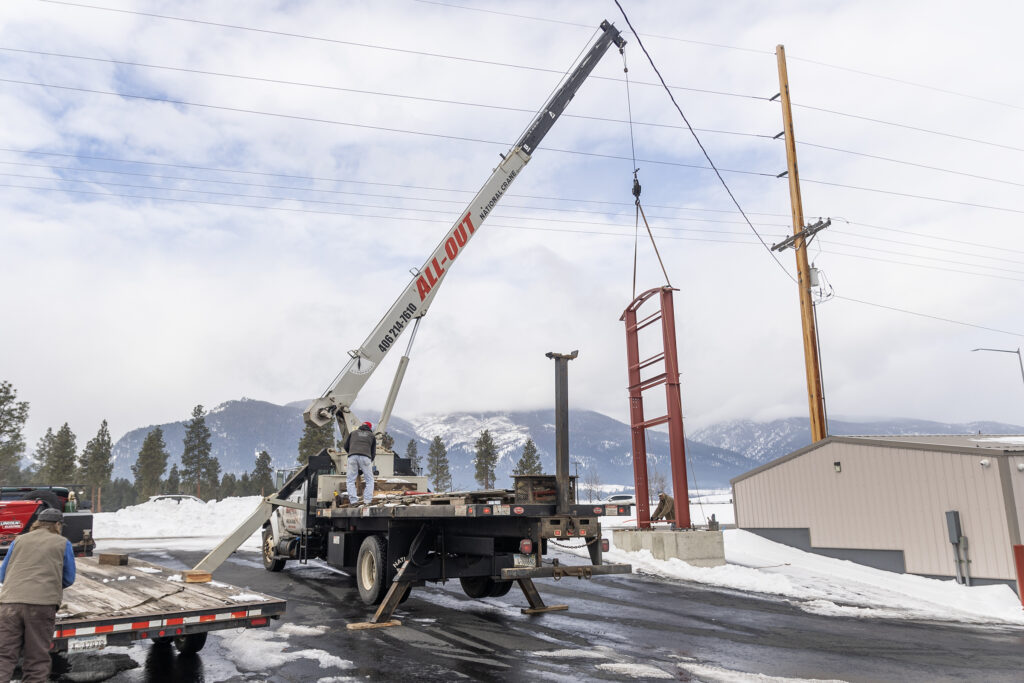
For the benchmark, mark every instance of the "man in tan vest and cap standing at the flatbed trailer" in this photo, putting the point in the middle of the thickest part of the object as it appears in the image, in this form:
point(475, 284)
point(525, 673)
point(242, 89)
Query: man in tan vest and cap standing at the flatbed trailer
point(38, 567)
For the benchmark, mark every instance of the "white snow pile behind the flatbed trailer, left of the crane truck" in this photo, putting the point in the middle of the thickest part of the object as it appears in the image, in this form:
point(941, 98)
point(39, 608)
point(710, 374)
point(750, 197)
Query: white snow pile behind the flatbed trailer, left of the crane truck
point(170, 520)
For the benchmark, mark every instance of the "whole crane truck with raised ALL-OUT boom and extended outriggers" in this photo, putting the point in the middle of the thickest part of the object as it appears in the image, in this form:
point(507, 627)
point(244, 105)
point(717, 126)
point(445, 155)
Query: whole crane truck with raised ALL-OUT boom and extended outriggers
point(487, 539)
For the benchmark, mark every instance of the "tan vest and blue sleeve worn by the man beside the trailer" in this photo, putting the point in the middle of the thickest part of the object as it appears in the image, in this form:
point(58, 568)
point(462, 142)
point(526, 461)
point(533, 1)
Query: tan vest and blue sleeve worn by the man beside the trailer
point(39, 566)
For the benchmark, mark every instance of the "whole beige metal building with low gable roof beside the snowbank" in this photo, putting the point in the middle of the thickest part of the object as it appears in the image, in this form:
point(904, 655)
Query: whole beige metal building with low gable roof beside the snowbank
point(883, 501)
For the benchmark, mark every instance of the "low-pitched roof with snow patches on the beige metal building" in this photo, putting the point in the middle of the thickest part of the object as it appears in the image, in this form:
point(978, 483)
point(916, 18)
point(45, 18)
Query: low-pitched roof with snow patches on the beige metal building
point(995, 445)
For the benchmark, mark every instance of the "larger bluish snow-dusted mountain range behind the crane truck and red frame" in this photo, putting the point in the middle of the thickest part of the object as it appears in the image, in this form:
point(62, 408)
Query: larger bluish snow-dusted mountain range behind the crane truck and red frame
point(598, 444)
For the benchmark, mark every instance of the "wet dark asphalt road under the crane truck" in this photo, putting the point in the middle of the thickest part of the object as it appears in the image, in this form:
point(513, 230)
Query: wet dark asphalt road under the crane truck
point(618, 628)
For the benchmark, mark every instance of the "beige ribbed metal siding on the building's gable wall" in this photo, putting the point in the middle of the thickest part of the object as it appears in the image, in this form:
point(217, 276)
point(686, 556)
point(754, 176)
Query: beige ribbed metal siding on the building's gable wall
point(888, 499)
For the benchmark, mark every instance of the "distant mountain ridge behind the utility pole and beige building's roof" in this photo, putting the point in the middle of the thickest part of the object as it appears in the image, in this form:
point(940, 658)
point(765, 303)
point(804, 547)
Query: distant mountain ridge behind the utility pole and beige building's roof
point(762, 442)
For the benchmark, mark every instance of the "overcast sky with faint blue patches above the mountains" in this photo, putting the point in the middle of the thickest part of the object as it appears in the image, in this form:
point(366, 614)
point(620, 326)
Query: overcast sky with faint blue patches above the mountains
point(136, 283)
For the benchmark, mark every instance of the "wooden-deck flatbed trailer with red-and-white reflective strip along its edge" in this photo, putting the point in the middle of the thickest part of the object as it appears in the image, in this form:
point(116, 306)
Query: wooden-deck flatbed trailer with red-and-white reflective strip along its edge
point(115, 605)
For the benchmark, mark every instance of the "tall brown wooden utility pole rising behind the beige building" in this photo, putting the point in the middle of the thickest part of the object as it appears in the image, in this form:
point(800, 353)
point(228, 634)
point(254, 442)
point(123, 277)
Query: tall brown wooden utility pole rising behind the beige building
point(816, 395)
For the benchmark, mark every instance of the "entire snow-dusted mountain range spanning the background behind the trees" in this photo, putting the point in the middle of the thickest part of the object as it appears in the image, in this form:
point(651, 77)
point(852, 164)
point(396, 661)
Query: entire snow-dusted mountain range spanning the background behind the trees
point(599, 445)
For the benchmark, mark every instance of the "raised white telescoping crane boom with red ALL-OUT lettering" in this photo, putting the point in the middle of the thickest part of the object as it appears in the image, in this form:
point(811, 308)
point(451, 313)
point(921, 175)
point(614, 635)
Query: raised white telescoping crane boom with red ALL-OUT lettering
point(416, 300)
